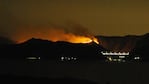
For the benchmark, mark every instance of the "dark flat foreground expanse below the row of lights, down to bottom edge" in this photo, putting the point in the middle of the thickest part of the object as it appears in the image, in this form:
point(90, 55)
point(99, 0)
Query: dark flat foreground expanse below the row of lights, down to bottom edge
point(86, 72)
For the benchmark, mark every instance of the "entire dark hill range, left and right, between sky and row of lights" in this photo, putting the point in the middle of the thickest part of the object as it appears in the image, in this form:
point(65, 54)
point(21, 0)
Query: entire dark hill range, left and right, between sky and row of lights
point(136, 45)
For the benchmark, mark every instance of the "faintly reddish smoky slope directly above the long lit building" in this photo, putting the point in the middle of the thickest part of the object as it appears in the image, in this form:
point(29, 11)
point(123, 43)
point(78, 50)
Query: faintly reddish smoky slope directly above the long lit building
point(119, 43)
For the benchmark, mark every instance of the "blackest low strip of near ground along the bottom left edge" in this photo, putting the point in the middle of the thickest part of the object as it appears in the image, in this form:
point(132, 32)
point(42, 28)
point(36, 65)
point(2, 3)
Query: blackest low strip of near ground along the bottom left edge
point(25, 80)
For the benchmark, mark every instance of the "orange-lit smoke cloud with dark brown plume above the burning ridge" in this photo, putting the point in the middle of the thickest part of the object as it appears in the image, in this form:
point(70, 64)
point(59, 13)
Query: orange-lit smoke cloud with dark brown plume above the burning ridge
point(74, 33)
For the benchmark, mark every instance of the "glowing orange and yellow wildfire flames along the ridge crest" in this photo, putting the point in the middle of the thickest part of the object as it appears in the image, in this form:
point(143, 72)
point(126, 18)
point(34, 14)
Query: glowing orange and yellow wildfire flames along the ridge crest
point(53, 35)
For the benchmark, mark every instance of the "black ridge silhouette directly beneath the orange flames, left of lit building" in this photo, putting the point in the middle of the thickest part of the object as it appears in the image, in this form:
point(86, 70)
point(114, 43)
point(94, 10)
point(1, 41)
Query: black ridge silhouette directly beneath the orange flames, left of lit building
point(52, 50)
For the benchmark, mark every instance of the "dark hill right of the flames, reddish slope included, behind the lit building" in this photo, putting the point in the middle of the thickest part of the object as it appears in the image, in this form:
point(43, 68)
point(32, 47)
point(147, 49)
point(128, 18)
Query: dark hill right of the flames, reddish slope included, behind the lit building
point(138, 46)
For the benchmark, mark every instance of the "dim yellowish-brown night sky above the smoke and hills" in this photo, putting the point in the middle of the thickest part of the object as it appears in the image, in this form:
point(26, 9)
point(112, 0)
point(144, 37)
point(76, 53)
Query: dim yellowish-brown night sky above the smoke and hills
point(102, 17)
